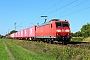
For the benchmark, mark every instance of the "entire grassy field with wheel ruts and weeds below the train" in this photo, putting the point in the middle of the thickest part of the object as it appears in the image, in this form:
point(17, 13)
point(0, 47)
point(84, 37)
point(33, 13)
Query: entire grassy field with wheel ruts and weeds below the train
point(11, 49)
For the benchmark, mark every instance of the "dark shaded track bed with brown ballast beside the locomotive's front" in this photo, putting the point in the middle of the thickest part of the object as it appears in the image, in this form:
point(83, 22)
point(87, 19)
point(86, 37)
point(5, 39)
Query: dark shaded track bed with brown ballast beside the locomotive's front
point(76, 45)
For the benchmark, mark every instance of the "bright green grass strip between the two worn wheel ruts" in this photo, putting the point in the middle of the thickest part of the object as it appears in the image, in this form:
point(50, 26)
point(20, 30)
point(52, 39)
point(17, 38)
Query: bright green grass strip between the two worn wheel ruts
point(18, 53)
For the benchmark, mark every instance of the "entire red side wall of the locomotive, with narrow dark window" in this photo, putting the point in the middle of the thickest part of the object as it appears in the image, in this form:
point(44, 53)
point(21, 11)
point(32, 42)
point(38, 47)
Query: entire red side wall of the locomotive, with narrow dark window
point(46, 31)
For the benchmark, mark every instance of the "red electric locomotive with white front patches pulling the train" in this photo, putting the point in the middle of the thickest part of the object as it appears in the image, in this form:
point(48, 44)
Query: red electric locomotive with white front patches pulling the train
point(54, 31)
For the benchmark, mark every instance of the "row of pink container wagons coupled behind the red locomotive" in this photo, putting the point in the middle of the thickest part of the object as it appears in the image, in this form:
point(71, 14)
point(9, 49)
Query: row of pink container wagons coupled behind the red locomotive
point(26, 34)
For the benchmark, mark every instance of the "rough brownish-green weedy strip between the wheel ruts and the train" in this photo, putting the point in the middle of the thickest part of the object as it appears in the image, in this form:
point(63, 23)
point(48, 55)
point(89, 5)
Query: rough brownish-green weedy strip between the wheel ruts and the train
point(61, 52)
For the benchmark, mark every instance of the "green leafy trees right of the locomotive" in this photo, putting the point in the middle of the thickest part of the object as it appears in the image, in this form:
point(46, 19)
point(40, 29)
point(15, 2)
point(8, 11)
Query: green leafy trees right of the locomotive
point(84, 31)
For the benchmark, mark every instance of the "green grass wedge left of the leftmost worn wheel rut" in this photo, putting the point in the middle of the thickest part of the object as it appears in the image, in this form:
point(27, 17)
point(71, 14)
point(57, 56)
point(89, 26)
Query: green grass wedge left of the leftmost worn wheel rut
point(3, 53)
